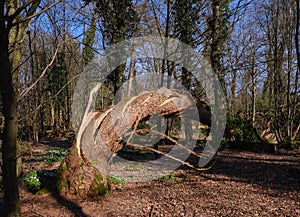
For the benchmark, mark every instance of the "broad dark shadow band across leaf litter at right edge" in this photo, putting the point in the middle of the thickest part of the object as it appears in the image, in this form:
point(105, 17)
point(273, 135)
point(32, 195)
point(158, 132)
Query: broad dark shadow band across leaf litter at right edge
point(280, 171)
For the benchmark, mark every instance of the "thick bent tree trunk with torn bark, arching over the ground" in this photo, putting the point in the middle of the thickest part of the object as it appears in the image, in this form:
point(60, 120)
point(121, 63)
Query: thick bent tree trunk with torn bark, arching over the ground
point(84, 171)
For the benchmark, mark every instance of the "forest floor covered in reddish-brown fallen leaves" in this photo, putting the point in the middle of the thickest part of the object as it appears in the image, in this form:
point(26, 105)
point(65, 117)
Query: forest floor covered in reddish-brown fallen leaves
point(240, 183)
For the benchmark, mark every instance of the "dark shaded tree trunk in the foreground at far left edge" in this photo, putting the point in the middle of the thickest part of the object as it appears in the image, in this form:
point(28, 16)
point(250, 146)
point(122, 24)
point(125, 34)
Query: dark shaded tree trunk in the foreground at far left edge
point(9, 136)
